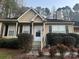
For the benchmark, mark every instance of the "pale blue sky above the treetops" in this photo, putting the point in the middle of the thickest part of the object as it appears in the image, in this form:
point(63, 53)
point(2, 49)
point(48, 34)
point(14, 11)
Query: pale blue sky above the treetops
point(50, 3)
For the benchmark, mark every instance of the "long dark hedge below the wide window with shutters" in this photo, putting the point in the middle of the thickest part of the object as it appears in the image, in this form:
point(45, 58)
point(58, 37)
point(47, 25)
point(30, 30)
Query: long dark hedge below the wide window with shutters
point(62, 38)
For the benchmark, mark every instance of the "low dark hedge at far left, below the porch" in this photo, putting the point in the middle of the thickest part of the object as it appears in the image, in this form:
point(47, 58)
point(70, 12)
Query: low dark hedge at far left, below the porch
point(9, 43)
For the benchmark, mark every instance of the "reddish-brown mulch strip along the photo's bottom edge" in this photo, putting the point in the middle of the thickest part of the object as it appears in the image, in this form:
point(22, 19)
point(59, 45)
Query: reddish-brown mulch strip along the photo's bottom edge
point(24, 56)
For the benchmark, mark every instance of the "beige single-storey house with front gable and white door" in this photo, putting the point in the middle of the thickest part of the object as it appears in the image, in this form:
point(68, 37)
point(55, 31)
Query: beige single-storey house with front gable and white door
point(32, 22)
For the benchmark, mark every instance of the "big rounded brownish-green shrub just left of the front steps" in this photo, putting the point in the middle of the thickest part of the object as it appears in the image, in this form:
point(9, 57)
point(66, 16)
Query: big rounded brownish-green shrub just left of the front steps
point(25, 41)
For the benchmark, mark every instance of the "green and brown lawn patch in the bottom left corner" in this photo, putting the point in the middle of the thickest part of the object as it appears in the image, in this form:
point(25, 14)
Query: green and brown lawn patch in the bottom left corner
point(7, 54)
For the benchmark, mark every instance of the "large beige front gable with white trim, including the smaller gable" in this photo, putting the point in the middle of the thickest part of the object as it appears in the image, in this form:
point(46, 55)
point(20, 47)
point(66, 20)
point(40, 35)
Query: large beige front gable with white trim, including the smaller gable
point(30, 15)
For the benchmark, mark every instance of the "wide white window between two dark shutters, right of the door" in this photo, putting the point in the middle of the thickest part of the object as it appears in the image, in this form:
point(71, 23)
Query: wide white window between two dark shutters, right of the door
point(58, 29)
